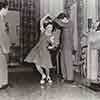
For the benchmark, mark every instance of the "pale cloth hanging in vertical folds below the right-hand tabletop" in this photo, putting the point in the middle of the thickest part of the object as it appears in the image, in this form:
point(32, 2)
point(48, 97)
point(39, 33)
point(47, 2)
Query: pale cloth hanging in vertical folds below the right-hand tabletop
point(92, 69)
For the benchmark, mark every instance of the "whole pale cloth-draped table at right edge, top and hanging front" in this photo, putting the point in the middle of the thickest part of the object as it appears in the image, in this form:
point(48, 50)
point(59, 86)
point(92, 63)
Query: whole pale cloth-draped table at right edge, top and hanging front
point(92, 55)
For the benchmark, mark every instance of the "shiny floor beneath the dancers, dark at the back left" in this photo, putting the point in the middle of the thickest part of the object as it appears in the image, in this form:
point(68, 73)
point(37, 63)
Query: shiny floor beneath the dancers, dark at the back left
point(25, 86)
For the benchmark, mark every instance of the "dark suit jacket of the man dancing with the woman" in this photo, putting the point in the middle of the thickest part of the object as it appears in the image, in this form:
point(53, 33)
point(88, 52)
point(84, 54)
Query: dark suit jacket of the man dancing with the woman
point(67, 34)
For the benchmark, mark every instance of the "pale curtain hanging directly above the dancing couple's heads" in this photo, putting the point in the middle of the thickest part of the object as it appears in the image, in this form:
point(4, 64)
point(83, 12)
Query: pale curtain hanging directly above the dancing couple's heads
point(53, 7)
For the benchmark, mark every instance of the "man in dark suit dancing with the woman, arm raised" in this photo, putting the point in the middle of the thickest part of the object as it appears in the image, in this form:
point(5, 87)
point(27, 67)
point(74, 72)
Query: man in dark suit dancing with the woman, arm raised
point(63, 20)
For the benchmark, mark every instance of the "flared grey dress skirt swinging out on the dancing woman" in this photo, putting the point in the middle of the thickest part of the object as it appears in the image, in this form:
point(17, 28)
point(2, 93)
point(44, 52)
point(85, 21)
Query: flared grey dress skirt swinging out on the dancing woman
point(40, 55)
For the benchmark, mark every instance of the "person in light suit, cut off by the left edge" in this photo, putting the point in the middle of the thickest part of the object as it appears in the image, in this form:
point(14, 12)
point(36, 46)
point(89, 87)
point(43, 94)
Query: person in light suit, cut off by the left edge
point(4, 45)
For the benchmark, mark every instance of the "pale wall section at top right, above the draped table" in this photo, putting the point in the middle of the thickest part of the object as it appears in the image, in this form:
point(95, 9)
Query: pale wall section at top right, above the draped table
point(90, 12)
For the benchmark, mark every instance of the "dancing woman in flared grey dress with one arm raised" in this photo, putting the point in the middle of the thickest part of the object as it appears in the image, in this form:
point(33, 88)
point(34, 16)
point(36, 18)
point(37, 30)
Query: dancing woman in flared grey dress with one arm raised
point(40, 54)
